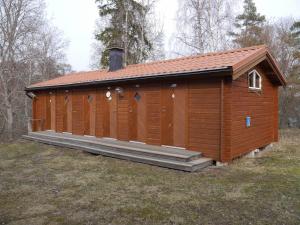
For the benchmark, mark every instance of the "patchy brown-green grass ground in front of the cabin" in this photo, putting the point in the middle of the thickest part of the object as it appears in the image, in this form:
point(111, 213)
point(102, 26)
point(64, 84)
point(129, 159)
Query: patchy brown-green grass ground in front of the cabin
point(40, 184)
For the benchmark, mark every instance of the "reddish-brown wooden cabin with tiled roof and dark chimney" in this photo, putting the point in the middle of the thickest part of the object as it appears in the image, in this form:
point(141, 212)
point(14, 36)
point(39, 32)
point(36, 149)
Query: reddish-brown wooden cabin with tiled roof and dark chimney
point(222, 104)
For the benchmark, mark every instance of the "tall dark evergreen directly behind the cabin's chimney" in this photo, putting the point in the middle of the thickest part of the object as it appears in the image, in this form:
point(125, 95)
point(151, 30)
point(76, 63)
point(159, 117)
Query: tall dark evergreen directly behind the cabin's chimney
point(125, 27)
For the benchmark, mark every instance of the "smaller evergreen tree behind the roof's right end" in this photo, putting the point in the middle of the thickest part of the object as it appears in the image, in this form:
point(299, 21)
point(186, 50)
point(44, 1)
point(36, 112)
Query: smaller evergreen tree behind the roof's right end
point(249, 26)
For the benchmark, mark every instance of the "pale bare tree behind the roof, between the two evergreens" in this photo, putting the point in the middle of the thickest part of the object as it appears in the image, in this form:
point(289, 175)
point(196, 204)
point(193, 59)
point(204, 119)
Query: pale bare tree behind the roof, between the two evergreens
point(203, 26)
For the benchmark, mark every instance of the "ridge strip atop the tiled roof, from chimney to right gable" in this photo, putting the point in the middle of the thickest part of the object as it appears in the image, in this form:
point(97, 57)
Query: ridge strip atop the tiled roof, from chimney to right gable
point(201, 55)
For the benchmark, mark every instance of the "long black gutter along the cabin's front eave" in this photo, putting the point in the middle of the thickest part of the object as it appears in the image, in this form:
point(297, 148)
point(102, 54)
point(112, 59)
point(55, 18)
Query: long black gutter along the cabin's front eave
point(227, 69)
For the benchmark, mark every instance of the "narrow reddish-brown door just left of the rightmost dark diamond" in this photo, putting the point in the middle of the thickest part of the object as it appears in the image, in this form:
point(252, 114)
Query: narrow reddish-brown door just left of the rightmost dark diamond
point(134, 99)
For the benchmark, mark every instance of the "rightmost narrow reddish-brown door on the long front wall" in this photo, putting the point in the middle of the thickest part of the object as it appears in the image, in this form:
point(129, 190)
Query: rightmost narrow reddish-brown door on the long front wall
point(167, 105)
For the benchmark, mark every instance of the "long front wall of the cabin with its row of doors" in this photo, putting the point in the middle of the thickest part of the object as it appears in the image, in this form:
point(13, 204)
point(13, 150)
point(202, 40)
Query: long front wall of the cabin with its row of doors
point(175, 113)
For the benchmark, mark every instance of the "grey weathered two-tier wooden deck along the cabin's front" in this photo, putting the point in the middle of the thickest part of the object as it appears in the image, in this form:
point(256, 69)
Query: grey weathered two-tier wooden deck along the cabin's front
point(168, 157)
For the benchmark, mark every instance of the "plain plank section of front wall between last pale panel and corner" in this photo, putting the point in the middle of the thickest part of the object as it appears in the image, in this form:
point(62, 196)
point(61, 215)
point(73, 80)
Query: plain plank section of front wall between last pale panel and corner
point(204, 117)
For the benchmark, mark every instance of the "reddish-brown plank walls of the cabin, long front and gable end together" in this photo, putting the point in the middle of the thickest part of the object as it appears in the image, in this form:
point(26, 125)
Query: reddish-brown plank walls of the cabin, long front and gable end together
point(206, 115)
